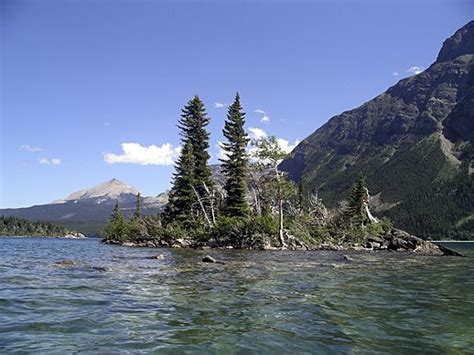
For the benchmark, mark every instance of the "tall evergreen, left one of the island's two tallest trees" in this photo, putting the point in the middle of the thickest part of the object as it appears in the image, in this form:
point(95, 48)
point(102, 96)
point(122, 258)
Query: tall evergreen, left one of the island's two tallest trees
point(193, 124)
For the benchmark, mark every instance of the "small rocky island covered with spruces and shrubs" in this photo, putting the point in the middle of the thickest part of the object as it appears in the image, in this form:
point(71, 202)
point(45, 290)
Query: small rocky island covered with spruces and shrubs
point(253, 205)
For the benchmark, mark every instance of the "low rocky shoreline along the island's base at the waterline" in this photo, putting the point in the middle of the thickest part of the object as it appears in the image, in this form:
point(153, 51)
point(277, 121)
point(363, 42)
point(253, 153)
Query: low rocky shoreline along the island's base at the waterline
point(394, 240)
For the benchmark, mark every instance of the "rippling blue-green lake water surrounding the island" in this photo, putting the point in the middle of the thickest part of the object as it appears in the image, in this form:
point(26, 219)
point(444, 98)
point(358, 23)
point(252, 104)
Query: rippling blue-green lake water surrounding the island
point(117, 301)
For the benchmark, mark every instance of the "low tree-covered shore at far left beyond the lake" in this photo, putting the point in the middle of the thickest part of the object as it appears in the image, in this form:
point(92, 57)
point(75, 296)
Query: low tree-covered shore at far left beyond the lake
point(15, 226)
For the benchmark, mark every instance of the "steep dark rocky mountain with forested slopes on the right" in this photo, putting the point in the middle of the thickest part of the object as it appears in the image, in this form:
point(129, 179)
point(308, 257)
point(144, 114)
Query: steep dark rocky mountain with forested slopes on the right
point(414, 143)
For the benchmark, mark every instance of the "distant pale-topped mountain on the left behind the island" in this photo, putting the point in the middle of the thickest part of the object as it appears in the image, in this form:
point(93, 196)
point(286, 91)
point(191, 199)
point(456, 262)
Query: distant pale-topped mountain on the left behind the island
point(88, 210)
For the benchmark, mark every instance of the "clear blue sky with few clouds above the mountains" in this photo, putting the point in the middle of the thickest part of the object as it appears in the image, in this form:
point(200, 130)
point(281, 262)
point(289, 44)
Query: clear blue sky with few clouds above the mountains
point(92, 90)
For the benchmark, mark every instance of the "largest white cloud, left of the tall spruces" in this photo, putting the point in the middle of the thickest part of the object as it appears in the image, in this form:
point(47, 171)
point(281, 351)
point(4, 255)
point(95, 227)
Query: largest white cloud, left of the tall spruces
point(135, 153)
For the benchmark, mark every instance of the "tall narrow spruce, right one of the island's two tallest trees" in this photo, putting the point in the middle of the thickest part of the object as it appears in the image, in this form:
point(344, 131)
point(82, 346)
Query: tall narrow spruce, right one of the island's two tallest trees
point(235, 166)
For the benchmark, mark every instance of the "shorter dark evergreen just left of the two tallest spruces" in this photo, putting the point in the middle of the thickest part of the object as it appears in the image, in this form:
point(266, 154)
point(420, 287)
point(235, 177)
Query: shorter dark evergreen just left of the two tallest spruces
point(182, 196)
